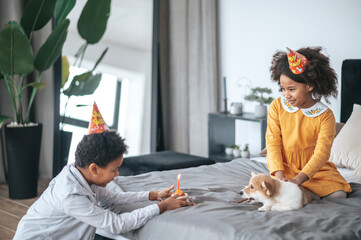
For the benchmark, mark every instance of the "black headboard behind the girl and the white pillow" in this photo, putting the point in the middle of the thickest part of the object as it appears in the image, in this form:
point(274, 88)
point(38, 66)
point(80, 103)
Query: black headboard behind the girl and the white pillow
point(350, 87)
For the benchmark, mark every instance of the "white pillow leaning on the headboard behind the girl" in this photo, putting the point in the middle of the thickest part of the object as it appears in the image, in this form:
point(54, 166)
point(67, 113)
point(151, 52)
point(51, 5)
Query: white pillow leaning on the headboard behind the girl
point(346, 149)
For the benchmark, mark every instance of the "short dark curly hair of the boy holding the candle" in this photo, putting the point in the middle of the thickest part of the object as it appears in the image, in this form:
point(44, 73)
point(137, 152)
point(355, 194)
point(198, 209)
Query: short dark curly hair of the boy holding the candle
point(100, 148)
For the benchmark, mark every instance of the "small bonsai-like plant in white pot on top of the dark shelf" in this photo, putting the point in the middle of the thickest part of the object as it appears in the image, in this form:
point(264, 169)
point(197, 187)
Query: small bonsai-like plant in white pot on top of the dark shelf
point(258, 96)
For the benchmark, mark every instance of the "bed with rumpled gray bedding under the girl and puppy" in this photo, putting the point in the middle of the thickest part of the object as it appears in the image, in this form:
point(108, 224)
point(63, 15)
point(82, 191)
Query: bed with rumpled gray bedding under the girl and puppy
point(215, 189)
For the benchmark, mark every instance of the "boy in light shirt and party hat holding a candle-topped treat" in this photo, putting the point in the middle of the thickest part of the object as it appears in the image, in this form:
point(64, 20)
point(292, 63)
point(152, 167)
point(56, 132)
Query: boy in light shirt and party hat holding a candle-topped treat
point(70, 207)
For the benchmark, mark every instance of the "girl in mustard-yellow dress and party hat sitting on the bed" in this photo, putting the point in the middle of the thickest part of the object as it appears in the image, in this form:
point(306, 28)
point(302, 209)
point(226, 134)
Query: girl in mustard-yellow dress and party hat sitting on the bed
point(300, 128)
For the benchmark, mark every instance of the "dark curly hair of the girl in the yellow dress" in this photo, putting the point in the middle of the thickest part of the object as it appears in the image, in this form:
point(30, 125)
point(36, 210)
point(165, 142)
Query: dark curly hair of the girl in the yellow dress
point(318, 72)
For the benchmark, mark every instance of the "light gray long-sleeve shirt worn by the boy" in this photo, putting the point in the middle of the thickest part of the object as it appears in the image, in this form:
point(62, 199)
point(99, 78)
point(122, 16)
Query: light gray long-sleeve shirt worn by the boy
point(68, 209)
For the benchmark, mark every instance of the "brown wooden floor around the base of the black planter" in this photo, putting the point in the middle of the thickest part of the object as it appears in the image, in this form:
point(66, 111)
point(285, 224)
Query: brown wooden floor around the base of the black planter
point(11, 211)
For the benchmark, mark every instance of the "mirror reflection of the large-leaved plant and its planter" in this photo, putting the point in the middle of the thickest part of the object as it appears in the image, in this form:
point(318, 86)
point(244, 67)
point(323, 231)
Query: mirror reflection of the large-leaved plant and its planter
point(91, 27)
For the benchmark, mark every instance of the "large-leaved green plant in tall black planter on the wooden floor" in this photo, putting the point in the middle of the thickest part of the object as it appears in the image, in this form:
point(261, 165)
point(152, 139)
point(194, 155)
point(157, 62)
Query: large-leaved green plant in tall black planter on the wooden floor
point(17, 60)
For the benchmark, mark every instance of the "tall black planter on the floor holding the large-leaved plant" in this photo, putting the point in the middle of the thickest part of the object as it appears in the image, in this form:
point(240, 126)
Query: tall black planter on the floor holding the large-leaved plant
point(22, 146)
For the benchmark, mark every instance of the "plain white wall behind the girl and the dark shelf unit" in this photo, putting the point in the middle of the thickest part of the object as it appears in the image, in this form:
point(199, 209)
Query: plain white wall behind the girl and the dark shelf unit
point(251, 31)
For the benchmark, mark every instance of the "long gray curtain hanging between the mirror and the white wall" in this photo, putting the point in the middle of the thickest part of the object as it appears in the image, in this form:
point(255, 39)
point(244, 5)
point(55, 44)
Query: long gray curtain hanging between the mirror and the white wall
point(188, 70)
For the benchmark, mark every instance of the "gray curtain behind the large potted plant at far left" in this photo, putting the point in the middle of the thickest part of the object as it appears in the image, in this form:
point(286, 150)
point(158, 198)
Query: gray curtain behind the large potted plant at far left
point(44, 101)
